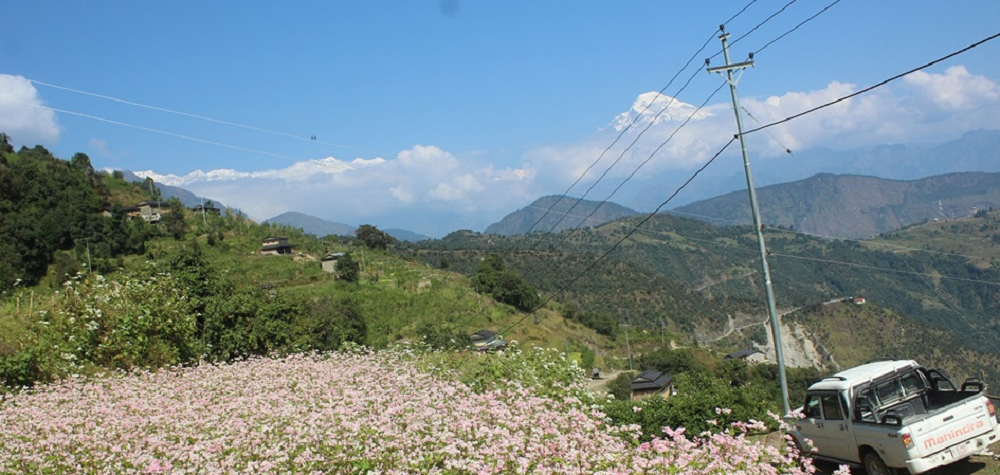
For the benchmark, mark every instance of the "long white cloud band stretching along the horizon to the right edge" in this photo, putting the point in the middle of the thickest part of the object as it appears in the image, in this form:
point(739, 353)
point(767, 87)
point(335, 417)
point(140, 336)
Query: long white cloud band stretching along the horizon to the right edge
point(430, 190)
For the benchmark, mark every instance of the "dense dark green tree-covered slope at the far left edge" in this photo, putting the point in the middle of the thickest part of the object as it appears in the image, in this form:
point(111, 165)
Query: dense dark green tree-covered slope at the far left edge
point(52, 213)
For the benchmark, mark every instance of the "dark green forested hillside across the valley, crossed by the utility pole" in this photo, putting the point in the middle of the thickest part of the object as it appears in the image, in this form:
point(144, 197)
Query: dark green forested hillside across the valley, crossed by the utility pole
point(692, 277)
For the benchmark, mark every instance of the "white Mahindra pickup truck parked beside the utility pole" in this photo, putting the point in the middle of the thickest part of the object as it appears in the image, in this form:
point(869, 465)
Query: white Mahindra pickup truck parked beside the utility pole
point(895, 415)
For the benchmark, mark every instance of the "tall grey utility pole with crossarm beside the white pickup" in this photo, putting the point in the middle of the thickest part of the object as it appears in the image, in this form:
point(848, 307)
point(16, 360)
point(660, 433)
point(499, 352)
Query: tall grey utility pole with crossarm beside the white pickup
point(775, 326)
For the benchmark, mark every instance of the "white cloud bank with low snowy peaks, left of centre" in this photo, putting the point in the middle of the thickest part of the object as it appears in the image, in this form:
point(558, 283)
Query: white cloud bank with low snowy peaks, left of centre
point(413, 191)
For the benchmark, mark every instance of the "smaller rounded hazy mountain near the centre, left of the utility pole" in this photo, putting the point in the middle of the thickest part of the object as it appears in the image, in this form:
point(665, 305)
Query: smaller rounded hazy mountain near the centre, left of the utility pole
point(564, 215)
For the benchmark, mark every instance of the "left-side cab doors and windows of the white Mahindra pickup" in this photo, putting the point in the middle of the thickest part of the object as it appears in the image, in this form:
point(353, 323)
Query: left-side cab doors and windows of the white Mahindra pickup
point(826, 424)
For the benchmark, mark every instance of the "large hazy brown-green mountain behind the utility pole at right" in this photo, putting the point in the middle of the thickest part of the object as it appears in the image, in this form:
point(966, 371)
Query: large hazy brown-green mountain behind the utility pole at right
point(849, 206)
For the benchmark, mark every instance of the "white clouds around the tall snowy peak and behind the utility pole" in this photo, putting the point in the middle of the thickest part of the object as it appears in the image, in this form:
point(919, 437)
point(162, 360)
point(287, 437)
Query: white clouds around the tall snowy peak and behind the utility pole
point(924, 108)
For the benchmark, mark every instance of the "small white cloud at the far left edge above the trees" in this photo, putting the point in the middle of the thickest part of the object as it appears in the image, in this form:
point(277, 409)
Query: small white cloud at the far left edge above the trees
point(20, 116)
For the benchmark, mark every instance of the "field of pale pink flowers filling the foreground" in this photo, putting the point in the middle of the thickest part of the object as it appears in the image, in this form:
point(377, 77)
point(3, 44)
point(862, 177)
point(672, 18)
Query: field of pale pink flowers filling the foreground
point(358, 412)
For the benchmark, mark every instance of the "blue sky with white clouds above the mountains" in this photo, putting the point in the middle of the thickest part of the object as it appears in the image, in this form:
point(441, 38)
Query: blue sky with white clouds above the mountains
point(439, 115)
